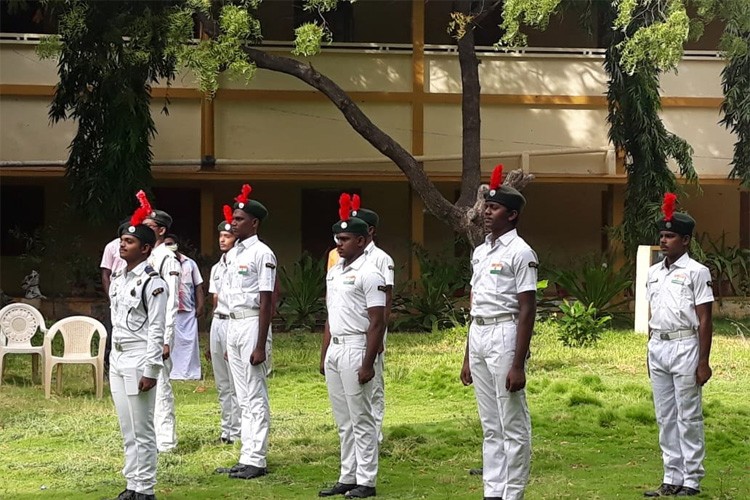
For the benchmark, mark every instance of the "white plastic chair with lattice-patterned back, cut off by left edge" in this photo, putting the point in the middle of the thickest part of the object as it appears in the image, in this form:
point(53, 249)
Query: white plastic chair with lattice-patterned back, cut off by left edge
point(19, 322)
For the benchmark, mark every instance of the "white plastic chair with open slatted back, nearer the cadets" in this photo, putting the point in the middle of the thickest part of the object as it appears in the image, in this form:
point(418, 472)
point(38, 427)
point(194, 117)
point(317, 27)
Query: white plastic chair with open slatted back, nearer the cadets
point(77, 332)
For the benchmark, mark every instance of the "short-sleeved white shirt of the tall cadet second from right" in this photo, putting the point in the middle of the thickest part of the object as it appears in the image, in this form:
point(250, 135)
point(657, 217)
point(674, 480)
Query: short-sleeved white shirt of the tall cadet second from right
point(500, 271)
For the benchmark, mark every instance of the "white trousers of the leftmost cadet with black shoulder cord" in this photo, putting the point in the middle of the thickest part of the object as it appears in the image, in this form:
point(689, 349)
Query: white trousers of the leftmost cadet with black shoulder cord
point(135, 410)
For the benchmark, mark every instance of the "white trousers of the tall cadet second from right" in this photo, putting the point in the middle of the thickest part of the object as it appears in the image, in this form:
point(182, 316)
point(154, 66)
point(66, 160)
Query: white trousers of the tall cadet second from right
point(506, 423)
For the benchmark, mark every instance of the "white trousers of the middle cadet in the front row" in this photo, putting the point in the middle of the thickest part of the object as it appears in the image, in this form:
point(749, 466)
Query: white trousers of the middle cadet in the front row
point(352, 410)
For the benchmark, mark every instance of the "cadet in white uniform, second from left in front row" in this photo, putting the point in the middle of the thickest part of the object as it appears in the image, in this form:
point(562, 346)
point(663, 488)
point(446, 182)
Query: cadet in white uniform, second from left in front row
point(251, 275)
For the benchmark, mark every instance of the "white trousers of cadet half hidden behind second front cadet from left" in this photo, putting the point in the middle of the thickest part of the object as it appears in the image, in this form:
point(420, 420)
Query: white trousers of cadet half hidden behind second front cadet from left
point(230, 408)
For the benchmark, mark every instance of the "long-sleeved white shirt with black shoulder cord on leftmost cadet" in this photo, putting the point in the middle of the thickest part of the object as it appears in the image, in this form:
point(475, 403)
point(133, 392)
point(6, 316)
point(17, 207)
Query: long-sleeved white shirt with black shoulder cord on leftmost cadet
point(134, 321)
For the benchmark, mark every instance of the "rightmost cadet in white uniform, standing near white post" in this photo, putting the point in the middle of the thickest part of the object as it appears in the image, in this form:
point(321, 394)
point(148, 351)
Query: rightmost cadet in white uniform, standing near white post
point(680, 328)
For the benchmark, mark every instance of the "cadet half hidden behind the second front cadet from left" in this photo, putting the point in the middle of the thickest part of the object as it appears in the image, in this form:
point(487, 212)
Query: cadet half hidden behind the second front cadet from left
point(217, 354)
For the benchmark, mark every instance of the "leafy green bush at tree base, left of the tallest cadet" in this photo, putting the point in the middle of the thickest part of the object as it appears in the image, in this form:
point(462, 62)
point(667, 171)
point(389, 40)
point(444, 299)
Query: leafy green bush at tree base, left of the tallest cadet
point(431, 303)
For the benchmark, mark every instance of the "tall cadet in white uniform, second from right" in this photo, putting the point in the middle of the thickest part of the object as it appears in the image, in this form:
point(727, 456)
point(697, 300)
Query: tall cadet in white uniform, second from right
point(503, 307)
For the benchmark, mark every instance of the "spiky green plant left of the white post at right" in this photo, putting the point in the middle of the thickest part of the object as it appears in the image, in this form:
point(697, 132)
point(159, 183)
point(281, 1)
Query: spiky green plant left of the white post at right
point(594, 281)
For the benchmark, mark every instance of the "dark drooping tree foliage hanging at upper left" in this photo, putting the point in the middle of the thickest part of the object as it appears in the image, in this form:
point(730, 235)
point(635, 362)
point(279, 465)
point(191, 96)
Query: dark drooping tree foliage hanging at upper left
point(104, 85)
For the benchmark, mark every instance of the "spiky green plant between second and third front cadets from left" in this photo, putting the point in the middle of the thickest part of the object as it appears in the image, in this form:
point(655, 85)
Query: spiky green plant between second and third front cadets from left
point(303, 293)
